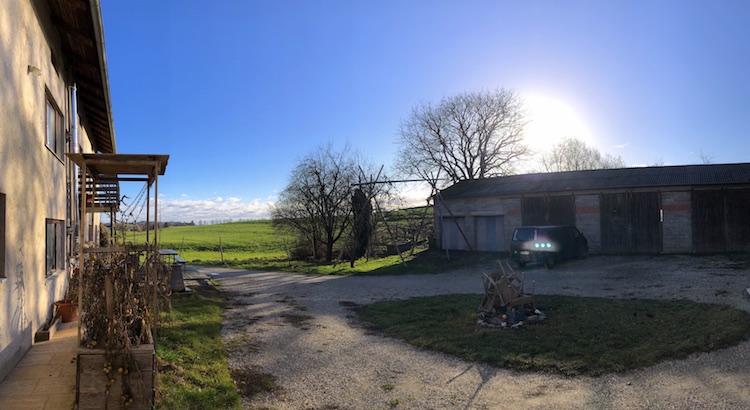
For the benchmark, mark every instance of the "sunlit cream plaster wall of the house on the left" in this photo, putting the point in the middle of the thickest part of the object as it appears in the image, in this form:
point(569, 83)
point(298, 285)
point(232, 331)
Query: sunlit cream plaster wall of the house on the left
point(32, 177)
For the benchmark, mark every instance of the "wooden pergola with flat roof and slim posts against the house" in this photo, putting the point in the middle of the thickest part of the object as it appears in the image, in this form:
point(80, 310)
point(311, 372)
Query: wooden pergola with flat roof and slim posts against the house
point(99, 192)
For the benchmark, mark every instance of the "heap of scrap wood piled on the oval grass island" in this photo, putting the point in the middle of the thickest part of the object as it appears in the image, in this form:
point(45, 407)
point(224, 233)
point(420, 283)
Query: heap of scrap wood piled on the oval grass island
point(505, 304)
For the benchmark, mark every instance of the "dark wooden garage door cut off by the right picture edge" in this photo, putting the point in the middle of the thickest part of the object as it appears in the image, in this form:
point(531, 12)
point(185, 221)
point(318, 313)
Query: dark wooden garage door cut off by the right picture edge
point(721, 221)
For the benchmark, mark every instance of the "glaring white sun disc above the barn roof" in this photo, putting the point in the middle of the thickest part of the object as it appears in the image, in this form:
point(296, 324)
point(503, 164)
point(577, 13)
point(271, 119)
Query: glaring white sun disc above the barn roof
point(551, 120)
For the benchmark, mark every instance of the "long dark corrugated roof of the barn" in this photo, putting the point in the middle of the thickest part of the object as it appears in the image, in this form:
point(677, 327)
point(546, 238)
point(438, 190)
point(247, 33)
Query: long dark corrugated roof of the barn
point(604, 179)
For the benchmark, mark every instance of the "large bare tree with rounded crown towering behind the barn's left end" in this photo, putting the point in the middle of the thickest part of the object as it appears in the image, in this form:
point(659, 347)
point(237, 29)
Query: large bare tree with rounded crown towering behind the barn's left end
point(468, 136)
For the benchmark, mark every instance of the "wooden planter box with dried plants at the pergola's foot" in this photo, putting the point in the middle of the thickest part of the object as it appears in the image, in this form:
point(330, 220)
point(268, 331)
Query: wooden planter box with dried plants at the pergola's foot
point(93, 388)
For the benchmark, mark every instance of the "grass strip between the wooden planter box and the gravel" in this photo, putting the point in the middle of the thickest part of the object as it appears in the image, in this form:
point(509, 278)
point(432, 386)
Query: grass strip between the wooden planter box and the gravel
point(192, 360)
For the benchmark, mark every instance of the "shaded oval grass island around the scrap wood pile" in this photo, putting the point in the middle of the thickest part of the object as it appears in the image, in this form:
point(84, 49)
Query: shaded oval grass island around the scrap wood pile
point(581, 335)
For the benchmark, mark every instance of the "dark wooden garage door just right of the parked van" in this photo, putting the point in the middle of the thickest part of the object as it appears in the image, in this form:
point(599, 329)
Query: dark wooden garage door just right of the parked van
point(631, 222)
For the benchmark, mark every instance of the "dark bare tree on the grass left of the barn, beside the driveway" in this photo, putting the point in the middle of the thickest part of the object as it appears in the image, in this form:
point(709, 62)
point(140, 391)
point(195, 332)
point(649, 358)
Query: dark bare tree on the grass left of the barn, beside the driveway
point(316, 202)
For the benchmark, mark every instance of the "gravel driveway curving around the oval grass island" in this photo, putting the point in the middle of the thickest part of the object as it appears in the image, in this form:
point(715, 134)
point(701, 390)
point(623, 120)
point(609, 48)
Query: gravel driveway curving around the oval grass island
point(299, 329)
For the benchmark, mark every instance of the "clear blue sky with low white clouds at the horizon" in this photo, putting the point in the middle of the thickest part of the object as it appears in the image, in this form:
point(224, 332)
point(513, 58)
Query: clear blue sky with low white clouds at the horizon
point(236, 92)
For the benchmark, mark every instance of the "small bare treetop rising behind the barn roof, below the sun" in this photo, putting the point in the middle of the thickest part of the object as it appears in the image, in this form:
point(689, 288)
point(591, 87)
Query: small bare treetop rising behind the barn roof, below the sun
point(572, 154)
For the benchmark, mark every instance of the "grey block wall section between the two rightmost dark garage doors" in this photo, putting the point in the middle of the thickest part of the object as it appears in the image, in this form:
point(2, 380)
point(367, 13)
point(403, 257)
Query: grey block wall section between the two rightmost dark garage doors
point(677, 226)
